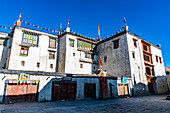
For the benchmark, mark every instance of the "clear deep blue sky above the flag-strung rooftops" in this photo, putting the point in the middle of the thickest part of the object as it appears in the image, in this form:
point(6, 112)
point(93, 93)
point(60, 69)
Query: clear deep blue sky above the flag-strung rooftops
point(149, 19)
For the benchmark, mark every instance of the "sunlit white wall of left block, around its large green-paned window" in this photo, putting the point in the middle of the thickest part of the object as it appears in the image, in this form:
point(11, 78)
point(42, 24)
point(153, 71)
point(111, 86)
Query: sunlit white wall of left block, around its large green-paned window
point(39, 54)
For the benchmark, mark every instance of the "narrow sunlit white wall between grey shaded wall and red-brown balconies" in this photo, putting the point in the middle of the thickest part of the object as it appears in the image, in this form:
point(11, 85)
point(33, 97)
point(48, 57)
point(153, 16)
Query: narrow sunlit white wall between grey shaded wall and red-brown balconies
point(137, 63)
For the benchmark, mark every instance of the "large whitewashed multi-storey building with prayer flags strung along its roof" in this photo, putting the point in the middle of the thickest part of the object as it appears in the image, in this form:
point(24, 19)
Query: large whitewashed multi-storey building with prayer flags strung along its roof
point(44, 56)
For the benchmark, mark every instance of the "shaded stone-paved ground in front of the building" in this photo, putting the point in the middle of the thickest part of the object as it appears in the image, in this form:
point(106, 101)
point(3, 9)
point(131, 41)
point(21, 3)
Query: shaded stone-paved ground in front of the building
point(145, 104)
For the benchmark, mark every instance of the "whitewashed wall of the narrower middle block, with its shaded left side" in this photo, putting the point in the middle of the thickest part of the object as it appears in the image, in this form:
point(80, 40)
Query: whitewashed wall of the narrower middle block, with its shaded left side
point(70, 58)
